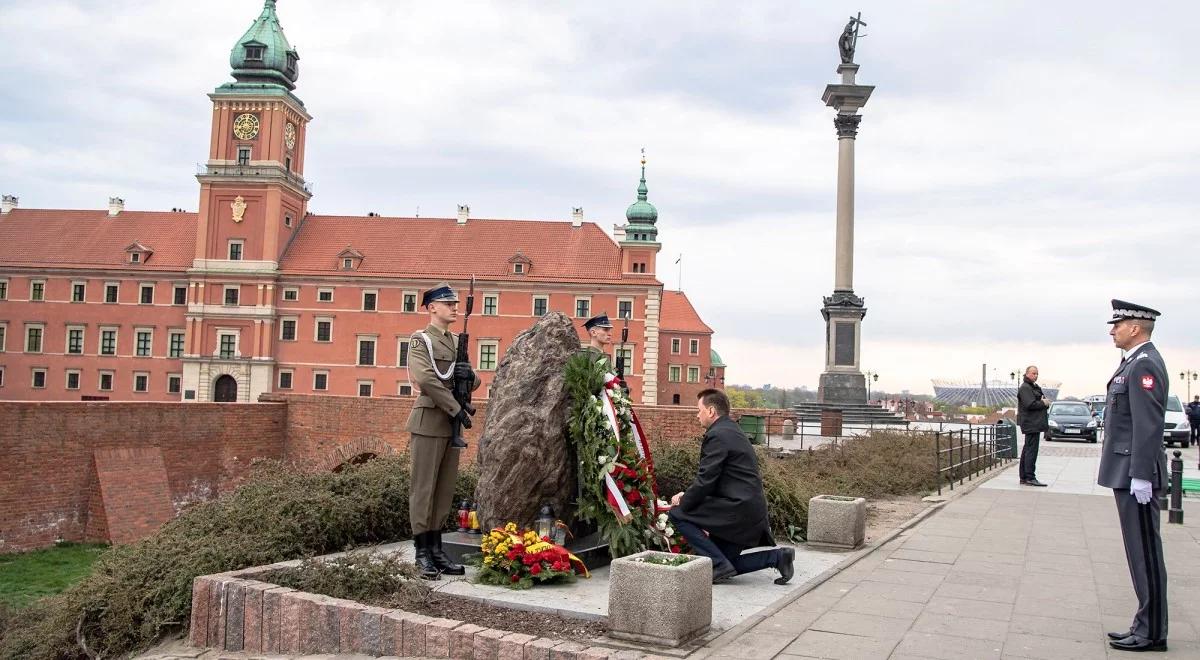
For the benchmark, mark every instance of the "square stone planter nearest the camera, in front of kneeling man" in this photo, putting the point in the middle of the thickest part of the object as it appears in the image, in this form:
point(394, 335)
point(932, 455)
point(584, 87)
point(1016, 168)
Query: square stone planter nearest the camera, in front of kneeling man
point(659, 604)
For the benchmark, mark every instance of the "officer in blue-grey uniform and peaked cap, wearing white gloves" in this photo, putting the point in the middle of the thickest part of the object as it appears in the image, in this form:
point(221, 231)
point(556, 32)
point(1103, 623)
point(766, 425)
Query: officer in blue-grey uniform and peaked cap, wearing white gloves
point(1133, 465)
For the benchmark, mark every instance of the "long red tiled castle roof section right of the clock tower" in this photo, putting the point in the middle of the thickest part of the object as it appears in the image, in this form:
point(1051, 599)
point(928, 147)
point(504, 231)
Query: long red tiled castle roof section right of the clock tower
point(443, 249)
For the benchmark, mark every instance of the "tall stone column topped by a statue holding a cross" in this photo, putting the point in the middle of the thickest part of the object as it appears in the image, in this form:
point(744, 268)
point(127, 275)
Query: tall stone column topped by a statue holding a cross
point(843, 382)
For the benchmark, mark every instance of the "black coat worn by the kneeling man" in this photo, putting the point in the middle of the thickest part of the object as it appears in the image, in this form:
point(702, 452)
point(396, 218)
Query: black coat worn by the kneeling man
point(727, 499)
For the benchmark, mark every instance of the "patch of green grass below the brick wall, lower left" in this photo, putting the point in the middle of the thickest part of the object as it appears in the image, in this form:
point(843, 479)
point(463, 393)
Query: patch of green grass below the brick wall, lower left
point(28, 577)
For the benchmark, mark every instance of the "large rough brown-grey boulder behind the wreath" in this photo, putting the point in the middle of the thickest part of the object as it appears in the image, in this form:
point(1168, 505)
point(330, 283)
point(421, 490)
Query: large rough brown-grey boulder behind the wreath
point(524, 455)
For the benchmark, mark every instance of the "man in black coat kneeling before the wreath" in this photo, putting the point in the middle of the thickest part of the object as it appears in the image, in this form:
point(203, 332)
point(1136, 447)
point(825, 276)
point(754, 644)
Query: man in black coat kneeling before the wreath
point(727, 500)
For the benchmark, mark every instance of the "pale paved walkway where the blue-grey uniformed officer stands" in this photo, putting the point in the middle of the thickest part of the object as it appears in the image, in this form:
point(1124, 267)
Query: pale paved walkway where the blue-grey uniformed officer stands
point(1003, 572)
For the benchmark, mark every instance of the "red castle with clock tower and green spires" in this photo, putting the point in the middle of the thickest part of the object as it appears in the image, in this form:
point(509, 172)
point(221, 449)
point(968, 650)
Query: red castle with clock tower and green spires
point(254, 295)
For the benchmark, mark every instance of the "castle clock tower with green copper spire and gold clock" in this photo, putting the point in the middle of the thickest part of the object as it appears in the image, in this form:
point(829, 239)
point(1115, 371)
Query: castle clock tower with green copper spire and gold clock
point(254, 196)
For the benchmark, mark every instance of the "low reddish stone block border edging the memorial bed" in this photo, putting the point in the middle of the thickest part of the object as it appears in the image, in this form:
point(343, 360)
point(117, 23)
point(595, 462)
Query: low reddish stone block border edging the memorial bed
point(233, 611)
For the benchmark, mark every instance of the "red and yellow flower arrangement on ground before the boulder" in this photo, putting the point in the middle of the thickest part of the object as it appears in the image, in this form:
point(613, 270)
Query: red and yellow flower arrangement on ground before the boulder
point(519, 559)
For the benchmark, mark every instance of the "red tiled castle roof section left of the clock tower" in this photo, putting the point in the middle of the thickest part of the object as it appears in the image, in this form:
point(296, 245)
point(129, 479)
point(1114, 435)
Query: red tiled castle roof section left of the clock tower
point(93, 239)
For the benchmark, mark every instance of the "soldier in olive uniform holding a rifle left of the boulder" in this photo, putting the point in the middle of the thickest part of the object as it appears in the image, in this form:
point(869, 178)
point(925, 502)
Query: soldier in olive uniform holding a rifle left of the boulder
point(433, 368)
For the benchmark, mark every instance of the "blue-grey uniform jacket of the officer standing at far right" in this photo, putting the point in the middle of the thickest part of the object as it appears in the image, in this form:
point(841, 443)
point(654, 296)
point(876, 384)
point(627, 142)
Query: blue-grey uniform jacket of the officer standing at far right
point(1133, 422)
